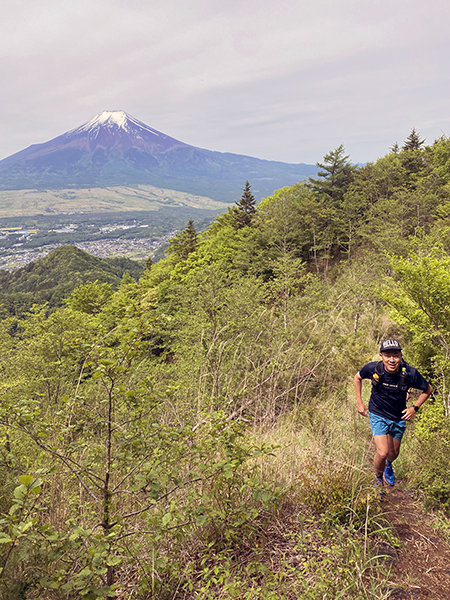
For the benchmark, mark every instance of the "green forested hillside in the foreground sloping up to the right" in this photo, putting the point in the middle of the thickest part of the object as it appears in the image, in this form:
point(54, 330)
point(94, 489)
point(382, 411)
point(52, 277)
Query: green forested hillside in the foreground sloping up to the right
point(194, 433)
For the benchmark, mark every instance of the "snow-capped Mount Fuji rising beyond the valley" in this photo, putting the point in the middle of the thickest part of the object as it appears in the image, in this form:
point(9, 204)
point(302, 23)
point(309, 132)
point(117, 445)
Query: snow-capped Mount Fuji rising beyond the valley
point(115, 149)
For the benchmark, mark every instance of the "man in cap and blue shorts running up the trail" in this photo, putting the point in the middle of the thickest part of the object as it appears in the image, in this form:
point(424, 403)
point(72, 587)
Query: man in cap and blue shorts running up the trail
point(391, 379)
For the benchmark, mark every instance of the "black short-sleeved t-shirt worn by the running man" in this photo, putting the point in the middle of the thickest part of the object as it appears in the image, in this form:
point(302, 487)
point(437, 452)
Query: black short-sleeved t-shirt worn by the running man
point(387, 399)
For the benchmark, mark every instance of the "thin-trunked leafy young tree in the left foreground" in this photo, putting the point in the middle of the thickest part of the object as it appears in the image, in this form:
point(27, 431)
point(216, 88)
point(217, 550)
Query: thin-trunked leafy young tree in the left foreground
point(125, 471)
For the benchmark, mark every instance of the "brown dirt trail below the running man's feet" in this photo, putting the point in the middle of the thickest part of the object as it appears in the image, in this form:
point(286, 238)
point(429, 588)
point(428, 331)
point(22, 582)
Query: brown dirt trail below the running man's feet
point(421, 567)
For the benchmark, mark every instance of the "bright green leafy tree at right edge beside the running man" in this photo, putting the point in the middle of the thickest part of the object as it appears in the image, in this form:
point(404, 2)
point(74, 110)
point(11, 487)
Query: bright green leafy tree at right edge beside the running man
point(420, 303)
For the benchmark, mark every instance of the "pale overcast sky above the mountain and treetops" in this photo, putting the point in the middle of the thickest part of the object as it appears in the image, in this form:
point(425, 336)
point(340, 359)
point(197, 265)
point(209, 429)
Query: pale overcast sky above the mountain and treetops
point(287, 80)
